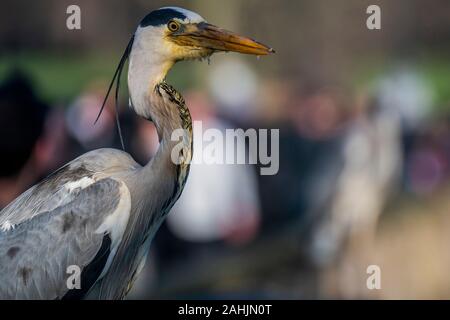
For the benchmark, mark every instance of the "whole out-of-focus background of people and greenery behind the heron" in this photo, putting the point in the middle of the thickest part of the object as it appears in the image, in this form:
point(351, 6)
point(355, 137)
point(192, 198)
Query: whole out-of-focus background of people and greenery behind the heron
point(364, 119)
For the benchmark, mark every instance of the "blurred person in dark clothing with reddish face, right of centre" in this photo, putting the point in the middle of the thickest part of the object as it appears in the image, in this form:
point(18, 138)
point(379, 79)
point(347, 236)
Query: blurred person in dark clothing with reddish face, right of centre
point(308, 138)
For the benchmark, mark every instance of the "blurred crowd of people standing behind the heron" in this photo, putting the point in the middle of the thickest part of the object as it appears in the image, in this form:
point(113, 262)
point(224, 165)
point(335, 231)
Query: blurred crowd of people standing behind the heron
point(344, 155)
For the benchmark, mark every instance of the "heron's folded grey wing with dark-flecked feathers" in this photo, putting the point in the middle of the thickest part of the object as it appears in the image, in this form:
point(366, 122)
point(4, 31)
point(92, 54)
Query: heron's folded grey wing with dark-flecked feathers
point(34, 256)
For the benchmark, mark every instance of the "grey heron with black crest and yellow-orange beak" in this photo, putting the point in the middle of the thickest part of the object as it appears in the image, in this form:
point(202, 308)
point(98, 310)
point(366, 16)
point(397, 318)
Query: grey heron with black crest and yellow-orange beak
point(101, 211)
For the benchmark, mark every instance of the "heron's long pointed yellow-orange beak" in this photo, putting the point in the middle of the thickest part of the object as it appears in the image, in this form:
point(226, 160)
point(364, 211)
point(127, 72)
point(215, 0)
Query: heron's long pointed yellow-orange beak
point(205, 35)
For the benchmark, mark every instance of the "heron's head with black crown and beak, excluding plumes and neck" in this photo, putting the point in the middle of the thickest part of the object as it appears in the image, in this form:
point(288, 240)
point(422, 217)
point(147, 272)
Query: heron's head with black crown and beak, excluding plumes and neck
point(174, 34)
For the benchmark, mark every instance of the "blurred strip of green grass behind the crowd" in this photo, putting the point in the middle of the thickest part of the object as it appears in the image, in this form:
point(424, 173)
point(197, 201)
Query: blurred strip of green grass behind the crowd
point(50, 72)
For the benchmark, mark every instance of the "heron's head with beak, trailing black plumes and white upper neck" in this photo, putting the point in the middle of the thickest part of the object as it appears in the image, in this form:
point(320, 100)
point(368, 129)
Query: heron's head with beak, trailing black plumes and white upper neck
point(166, 36)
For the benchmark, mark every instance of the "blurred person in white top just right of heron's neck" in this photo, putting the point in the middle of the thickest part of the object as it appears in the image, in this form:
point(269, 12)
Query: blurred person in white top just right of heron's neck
point(220, 200)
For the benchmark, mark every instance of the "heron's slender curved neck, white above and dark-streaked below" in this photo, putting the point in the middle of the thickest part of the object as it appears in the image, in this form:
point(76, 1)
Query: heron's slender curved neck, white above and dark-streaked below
point(157, 101)
